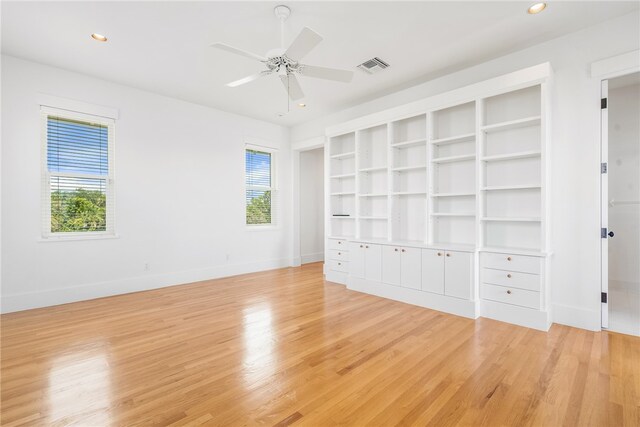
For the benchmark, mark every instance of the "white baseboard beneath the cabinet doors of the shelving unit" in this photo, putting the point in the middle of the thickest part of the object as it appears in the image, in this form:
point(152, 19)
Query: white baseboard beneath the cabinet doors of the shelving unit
point(430, 300)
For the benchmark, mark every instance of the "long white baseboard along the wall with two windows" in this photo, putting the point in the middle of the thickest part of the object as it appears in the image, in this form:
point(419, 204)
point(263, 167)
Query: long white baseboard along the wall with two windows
point(26, 301)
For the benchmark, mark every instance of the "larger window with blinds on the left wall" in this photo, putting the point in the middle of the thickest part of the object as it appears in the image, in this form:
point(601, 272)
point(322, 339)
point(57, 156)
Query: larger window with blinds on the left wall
point(78, 174)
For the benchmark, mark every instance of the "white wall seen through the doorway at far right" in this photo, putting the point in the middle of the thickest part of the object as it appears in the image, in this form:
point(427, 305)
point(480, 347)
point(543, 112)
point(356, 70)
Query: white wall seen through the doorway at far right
point(624, 185)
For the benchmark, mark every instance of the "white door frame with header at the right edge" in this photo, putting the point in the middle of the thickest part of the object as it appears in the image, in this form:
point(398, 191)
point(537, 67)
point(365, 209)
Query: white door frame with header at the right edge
point(602, 71)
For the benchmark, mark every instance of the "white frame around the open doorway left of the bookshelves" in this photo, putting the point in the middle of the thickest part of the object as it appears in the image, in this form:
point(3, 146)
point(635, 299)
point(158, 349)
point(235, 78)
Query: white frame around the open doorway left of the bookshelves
point(296, 149)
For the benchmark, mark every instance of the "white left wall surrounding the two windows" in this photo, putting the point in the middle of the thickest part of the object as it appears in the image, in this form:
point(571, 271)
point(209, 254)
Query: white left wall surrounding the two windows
point(179, 194)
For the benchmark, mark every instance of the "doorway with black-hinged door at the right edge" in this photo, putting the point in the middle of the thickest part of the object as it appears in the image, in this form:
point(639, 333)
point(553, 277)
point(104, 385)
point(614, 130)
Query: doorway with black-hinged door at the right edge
point(621, 204)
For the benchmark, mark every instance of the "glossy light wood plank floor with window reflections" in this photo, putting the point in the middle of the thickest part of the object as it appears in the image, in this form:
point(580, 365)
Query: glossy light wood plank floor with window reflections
point(286, 348)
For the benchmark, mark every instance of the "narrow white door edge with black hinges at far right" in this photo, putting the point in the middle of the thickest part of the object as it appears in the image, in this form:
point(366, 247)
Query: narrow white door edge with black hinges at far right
point(604, 203)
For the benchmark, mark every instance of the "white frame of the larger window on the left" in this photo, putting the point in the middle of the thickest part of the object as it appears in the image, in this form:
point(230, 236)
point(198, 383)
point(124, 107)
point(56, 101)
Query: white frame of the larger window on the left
point(47, 234)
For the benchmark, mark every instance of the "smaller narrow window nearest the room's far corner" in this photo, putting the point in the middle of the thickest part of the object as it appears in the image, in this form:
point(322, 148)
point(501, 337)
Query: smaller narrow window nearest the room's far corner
point(260, 186)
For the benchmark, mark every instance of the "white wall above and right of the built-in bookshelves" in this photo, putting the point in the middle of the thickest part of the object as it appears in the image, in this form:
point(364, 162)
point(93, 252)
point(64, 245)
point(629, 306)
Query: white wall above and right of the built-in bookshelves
point(575, 151)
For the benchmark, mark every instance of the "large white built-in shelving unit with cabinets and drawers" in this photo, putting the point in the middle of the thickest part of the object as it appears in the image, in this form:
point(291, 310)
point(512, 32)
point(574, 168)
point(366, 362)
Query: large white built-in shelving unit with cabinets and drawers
point(467, 175)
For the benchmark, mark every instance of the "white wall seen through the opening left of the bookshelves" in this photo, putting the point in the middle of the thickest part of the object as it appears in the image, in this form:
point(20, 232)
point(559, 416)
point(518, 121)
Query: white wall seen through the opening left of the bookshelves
point(312, 205)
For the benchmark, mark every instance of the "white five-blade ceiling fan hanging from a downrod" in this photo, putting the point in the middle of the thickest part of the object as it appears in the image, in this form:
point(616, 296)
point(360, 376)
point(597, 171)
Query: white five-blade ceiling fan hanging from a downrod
point(285, 62)
